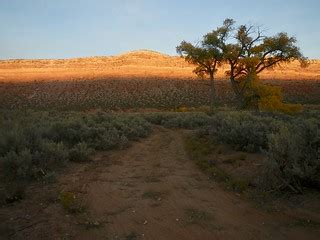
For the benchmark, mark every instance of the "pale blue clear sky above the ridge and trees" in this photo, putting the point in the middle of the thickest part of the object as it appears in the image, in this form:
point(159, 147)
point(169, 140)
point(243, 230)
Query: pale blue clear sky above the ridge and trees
point(77, 28)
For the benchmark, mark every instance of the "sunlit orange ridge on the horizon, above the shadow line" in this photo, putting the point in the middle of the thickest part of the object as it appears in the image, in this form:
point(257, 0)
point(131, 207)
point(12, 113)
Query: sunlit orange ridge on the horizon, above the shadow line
point(136, 64)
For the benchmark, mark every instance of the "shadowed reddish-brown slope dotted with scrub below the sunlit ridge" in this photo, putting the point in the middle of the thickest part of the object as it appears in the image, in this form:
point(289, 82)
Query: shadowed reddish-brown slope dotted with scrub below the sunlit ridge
point(128, 94)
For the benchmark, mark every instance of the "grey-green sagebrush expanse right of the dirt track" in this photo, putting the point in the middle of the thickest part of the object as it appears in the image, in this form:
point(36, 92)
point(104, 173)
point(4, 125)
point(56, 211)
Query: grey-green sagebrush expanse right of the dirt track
point(291, 143)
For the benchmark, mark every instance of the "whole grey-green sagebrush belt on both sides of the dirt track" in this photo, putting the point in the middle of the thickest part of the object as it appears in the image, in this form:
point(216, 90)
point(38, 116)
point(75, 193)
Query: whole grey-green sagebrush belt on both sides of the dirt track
point(34, 145)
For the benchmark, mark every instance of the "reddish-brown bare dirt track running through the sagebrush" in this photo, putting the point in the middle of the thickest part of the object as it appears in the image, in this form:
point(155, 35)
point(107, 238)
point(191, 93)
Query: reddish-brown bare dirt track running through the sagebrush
point(148, 191)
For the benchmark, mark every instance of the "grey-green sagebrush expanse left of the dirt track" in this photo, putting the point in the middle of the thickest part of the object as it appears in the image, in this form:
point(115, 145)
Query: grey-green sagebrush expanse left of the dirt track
point(34, 144)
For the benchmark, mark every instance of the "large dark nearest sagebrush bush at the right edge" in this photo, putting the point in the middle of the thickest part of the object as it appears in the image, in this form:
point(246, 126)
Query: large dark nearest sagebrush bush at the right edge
point(294, 157)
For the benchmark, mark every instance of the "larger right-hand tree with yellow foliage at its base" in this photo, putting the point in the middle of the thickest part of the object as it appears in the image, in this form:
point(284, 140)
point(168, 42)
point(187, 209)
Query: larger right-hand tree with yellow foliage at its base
point(250, 55)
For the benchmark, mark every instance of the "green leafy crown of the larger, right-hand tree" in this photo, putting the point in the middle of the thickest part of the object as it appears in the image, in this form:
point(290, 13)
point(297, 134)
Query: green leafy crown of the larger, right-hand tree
point(253, 52)
